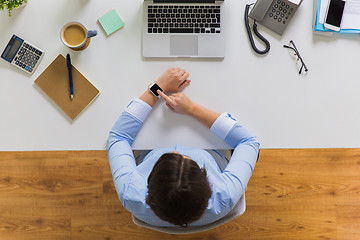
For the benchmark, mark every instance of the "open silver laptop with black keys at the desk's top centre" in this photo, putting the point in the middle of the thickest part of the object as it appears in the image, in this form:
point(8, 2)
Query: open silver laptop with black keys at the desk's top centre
point(183, 28)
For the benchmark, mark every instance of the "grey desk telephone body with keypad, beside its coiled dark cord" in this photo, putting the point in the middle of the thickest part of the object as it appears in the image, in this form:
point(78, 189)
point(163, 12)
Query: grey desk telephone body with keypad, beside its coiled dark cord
point(274, 14)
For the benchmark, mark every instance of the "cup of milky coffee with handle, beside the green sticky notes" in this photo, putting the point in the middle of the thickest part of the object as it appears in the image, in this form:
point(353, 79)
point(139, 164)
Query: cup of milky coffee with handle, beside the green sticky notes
point(75, 35)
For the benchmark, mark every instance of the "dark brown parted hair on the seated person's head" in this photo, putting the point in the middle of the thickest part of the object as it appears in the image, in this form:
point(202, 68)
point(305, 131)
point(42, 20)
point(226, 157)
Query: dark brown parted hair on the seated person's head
point(178, 190)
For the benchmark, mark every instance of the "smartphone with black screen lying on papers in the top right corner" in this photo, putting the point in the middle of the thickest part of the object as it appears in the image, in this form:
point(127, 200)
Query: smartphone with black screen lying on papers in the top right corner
point(334, 14)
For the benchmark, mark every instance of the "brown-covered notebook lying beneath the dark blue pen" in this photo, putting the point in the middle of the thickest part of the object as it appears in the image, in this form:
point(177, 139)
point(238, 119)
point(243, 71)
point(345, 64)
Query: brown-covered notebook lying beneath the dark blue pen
point(54, 81)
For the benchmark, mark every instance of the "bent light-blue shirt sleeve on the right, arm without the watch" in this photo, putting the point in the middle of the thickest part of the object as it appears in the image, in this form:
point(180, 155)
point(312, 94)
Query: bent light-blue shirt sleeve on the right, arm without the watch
point(246, 150)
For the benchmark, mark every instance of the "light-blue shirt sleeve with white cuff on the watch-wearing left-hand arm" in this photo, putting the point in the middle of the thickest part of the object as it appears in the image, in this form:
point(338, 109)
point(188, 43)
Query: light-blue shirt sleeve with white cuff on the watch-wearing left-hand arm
point(121, 137)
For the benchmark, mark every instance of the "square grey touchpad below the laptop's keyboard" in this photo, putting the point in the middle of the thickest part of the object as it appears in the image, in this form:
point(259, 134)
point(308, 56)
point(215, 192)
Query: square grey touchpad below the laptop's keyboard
point(184, 45)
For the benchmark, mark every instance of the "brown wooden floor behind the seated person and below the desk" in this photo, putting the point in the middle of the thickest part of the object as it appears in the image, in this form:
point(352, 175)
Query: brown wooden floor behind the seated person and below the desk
point(293, 194)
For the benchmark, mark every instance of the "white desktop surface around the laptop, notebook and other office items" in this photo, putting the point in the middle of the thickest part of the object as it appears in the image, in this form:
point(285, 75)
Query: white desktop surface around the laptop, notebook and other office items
point(265, 93)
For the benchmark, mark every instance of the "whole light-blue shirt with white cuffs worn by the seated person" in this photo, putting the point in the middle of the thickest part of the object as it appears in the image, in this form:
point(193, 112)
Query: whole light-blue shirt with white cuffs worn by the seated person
point(228, 185)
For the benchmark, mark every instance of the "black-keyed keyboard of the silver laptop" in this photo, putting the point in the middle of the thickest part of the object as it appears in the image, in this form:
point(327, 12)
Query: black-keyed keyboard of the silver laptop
point(202, 19)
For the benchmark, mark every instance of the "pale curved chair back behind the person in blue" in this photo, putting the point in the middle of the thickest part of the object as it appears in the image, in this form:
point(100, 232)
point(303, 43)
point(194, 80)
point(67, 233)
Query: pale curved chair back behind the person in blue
point(238, 210)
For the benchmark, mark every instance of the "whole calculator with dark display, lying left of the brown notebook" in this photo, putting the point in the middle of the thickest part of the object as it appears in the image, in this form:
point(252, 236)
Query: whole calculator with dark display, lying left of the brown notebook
point(22, 54)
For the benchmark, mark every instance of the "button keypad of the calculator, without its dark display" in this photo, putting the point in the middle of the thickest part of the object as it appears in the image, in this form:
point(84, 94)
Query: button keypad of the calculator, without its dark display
point(27, 57)
